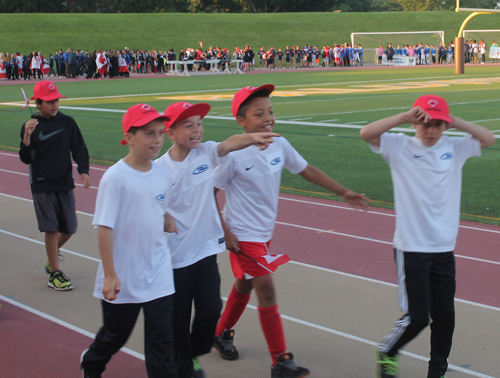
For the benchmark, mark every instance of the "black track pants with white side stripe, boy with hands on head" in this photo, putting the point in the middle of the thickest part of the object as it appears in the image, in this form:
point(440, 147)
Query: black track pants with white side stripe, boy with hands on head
point(426, 288)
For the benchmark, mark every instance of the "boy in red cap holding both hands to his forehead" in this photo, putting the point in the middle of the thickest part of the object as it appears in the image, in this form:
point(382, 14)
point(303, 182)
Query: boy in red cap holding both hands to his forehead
point(427, 176)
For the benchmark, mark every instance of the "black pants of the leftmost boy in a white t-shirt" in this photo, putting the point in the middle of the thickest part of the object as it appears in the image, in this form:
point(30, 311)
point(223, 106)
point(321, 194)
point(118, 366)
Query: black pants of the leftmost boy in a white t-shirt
point(119, 321)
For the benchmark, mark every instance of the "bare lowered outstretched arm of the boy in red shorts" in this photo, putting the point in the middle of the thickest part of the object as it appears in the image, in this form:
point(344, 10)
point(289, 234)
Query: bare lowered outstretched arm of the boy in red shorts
point(318, 177)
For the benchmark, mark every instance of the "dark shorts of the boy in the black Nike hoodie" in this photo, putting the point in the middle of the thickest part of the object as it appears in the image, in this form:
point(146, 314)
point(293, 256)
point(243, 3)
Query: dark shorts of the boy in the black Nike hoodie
point(55, 211)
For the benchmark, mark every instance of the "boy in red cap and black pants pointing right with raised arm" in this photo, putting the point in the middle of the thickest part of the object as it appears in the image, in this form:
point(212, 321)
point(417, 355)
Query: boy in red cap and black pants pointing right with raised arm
point(200, 236)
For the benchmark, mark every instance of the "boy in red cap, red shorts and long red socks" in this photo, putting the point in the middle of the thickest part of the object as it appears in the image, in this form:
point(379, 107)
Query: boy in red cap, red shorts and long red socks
point(252, 180)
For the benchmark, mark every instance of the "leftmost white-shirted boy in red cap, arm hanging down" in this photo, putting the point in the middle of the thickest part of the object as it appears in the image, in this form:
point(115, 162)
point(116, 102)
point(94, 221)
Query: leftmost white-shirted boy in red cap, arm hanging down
point(136, 269)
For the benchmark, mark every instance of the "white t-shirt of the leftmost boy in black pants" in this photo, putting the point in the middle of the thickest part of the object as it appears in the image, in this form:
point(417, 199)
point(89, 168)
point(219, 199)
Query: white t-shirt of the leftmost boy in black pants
point(133, 204)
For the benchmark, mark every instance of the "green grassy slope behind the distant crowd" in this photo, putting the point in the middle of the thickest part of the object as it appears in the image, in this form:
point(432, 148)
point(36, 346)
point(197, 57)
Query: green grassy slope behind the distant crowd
point(47, 32)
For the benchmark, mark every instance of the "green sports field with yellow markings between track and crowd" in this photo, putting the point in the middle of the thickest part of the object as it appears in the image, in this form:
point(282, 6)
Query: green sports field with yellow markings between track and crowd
point(318, 112)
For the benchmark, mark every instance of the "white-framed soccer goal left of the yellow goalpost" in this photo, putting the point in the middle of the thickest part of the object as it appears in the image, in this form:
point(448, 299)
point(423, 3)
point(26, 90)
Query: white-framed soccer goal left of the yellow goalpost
point(372, 41)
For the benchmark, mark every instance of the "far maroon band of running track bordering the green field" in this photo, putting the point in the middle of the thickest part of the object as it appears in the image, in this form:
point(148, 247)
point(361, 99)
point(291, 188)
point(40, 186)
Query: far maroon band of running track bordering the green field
point(331, 235)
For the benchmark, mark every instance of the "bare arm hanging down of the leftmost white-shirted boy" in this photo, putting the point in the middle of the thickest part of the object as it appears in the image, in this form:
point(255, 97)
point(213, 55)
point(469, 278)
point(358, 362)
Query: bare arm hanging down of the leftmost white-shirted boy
point(112, 283)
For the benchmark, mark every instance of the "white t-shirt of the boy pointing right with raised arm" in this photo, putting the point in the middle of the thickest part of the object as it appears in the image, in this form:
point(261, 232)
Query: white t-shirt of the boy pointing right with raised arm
point(192, 204)
